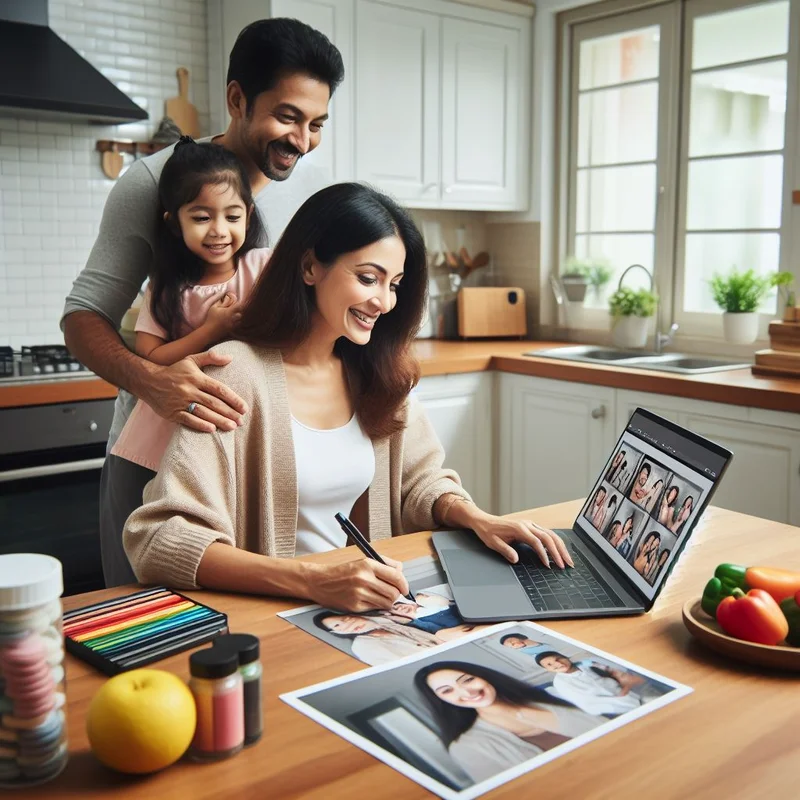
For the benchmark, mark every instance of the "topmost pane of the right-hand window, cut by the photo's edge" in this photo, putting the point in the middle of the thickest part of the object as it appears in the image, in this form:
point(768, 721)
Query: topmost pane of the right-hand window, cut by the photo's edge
point(757, 31)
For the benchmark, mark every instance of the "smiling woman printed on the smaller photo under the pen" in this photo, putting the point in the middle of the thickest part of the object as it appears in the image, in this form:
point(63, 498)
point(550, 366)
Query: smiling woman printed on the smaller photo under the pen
point(375, 640)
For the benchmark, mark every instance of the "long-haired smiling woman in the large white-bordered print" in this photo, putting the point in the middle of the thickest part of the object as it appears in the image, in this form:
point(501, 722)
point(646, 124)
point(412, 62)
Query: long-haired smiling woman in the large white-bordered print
point(490, 722)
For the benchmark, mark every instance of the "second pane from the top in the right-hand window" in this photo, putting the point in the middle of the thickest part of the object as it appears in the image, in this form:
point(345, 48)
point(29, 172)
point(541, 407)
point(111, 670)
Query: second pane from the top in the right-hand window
point(739, 109)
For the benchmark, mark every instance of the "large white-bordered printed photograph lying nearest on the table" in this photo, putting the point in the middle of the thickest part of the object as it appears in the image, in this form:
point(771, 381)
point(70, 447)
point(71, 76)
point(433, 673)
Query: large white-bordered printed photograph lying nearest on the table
point(487, 708)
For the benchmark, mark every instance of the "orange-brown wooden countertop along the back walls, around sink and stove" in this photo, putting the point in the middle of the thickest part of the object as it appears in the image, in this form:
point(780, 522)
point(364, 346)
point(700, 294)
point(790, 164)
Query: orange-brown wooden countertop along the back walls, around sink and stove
point(737, 387)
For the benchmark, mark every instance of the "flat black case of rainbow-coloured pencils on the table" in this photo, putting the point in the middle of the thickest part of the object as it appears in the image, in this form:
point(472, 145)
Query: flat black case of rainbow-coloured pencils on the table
point(136, 630)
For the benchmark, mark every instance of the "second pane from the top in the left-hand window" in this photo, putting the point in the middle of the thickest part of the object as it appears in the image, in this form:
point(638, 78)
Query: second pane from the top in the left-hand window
point(617, 126)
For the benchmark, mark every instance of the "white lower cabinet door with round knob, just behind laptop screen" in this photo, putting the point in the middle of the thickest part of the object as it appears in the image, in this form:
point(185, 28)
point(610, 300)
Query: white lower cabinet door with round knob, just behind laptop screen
point(555, 438)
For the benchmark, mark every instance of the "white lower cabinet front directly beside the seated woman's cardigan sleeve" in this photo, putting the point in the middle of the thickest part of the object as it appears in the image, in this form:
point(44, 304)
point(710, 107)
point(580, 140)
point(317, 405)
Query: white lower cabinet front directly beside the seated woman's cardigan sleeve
point(460, 410)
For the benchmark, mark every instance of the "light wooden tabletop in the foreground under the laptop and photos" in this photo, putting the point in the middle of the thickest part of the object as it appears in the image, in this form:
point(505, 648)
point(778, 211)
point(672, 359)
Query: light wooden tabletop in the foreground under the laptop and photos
point(734, 736)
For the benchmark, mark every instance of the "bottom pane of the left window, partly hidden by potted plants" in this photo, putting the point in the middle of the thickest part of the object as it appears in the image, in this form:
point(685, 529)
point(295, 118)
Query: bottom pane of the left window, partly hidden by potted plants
point(619, 252)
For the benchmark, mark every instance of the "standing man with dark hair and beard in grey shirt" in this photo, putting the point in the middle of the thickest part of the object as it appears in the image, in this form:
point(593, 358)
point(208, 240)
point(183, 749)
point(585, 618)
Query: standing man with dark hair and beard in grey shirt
point(281, 76)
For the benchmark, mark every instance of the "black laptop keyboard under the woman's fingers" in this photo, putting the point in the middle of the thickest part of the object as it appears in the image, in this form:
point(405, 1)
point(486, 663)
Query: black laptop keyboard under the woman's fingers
point(567, 589)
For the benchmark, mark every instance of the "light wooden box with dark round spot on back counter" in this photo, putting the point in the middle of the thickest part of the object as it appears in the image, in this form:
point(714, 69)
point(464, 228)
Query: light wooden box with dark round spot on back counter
point(491, 311)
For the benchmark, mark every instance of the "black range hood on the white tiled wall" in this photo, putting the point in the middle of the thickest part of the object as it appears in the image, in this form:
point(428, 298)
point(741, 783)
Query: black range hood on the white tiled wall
point(41, 76)
